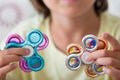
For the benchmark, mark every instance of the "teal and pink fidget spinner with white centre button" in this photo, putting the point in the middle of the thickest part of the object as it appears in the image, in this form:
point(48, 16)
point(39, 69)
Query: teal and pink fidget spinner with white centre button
point(35, 41)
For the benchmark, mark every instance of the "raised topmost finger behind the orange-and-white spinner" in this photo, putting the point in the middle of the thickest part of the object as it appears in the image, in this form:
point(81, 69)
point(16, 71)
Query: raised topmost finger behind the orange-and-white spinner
point(113, 42)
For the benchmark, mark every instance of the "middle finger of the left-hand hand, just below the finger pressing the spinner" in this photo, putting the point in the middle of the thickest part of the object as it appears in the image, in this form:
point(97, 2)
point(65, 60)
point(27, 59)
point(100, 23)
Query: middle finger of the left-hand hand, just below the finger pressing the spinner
point(5, 60)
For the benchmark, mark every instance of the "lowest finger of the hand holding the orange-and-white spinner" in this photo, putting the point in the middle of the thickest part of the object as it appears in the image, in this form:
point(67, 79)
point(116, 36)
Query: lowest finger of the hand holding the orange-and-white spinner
point(112, 72)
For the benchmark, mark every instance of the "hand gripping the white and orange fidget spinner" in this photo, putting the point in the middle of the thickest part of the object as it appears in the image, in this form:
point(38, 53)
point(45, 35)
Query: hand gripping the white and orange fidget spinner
point(108, 57)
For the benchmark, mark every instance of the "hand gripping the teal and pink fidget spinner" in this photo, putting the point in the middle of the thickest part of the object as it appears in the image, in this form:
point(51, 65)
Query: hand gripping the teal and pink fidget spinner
point(10, 55)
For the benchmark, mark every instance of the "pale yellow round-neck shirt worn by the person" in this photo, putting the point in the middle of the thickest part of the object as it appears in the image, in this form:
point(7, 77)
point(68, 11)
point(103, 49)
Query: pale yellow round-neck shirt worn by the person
point(55, 68)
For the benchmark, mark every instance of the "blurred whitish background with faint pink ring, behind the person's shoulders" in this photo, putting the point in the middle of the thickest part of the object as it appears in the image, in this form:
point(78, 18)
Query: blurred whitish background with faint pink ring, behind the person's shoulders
point(14, 11)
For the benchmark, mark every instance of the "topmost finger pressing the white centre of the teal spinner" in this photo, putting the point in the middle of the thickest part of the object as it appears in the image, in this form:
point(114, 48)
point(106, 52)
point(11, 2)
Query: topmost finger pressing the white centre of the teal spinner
point(16, 51)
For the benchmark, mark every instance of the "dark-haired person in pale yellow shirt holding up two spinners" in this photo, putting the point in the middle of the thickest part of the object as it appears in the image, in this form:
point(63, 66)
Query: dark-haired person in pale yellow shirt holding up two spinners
point(66, 22)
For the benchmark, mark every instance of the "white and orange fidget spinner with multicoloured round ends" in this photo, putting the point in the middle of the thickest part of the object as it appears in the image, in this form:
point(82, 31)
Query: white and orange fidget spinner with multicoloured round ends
point(77, 55)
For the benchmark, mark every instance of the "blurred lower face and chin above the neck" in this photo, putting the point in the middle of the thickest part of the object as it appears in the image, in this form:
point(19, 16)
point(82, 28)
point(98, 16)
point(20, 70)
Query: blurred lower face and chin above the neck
point(69, 7)
